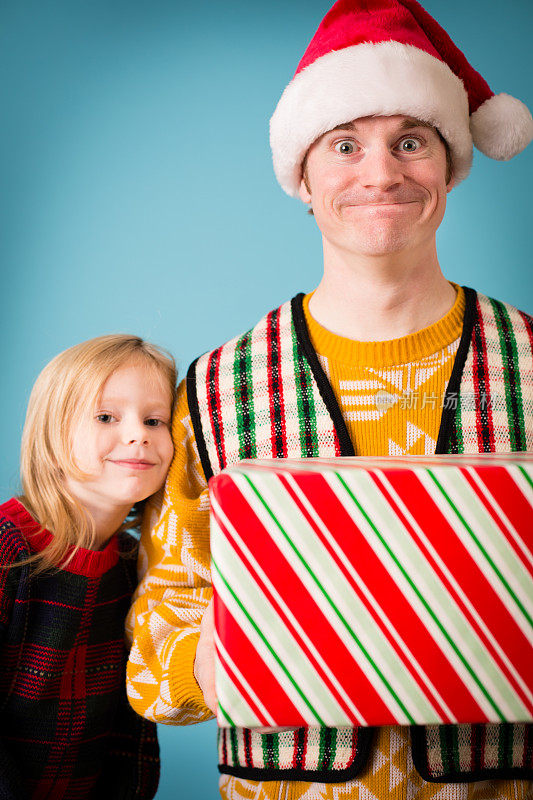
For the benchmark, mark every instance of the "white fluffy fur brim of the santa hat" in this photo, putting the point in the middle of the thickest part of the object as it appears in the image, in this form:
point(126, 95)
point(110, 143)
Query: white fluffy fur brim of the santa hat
point(368, 80)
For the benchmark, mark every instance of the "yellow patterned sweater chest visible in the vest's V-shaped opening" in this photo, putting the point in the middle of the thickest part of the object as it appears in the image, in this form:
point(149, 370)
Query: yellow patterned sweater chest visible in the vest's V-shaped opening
point(391, 393)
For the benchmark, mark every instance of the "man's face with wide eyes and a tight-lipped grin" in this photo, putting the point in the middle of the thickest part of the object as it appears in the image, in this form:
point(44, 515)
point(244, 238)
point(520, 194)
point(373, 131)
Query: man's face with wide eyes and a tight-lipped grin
point(377, 185)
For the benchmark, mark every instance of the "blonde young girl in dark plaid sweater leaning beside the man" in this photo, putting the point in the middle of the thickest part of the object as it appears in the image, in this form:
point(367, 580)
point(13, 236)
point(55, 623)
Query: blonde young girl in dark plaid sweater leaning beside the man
point(95, 442)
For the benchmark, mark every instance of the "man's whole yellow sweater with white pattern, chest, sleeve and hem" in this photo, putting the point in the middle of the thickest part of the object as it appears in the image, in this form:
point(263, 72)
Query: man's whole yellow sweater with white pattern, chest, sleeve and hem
point(391, 395)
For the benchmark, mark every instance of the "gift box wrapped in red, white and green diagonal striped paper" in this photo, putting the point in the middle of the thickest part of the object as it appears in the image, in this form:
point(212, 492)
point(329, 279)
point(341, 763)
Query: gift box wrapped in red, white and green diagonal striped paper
point(374, 591)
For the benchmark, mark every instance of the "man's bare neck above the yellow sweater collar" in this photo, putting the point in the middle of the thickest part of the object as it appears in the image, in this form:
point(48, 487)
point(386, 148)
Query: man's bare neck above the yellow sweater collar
point(380, 298)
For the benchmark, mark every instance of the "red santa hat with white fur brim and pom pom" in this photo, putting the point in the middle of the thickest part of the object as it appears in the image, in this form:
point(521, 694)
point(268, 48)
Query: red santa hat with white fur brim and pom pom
point(385, 57)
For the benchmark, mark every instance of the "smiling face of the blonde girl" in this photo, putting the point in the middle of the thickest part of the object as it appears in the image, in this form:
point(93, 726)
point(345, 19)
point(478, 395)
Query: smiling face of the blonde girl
point(125, 446)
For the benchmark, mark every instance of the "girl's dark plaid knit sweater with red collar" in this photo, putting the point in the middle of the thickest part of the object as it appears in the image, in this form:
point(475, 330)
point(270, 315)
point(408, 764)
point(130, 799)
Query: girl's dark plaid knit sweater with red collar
point(66, 729)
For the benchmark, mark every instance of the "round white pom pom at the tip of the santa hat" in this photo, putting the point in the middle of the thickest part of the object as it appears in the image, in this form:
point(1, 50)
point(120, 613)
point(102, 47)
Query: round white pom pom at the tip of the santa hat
point(502, 127)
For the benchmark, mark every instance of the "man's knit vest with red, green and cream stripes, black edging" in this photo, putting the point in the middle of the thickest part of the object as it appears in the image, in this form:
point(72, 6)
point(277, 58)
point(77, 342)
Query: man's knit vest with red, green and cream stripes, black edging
point(265, 395)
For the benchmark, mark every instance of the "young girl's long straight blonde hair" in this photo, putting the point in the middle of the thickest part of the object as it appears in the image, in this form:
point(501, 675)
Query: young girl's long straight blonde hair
point(67, 388)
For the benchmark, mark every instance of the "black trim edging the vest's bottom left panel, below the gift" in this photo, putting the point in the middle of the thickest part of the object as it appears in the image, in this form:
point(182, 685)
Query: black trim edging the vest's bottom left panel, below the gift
point(364, 740)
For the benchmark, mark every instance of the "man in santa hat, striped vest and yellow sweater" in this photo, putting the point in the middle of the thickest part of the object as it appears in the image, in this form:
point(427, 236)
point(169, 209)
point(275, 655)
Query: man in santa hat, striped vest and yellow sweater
point(385, 357)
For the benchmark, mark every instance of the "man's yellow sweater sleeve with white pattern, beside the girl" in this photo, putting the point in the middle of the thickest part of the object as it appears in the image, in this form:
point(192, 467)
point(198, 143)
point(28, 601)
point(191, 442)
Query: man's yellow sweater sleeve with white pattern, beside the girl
point(174, 589)
